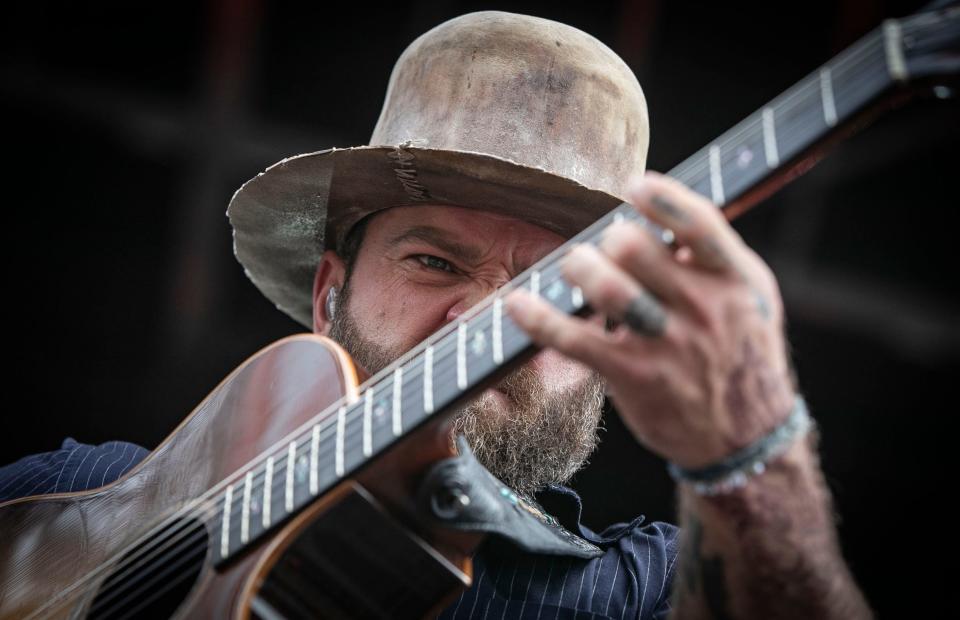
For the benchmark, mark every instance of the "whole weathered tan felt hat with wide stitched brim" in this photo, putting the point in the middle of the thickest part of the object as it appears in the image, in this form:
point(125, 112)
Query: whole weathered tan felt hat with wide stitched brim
point(496, 111)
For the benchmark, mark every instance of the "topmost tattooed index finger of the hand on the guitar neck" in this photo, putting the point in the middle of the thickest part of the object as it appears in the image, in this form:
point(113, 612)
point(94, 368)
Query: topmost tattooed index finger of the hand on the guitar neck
point(695, 221)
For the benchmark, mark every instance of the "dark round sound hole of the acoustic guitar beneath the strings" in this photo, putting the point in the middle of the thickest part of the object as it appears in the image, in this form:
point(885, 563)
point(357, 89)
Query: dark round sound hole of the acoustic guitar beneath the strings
point(153, 579)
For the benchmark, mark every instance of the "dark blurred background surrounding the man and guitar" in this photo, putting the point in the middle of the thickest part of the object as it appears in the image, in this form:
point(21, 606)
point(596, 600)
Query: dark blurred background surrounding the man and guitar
point(127, 127)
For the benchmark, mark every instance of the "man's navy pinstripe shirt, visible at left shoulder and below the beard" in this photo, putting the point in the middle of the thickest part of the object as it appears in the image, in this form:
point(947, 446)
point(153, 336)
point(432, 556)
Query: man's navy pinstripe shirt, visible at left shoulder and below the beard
point(630, 580)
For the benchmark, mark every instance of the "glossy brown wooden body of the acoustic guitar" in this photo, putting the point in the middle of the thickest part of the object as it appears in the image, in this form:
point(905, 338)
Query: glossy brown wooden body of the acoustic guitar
point(51, 542)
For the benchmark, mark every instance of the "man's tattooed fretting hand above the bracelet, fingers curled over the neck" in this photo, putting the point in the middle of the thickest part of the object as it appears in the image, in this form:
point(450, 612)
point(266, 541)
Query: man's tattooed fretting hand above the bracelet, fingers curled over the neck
point(717, 378)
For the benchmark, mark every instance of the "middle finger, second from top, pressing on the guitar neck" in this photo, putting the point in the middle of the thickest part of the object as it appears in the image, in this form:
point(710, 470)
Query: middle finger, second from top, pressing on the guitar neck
point(646, 259)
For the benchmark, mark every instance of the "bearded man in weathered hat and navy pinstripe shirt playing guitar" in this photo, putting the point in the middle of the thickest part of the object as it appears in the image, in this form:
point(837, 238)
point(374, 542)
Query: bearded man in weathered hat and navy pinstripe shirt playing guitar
point(503, 136)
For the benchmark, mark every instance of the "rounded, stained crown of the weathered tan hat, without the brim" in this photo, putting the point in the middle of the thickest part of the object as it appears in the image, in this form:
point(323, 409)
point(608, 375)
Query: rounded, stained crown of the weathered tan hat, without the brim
point(524, 89)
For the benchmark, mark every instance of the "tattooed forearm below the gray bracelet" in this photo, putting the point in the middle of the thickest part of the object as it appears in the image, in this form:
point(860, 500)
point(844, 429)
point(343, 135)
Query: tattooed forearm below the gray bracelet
point(767, 550)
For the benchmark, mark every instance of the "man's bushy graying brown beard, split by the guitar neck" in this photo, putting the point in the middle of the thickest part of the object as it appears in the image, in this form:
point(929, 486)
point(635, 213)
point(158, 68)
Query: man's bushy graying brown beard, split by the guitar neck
point(542, 438)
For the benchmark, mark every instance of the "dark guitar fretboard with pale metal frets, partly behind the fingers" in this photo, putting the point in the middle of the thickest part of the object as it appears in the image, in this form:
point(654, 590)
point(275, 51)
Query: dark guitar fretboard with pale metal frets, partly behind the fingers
point(462, 357)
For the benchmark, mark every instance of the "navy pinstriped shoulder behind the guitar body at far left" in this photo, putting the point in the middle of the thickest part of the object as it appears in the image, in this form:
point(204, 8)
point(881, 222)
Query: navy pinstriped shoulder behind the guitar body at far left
point(74, 467)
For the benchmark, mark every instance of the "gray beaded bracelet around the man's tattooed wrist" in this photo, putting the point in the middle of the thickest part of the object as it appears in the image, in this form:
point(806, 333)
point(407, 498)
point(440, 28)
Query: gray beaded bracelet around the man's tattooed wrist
point(732, 472)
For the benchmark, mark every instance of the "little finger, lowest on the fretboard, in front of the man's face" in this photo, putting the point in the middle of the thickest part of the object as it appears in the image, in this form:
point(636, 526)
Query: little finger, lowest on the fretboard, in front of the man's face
point(584, 341)
